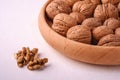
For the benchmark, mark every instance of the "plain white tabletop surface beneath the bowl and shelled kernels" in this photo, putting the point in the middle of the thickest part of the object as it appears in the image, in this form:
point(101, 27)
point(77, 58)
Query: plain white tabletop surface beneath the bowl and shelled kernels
point(18, 28)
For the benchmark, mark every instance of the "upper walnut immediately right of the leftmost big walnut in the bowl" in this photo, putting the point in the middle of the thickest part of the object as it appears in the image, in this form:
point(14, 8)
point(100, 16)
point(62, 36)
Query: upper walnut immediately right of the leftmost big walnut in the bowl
point(86, 8)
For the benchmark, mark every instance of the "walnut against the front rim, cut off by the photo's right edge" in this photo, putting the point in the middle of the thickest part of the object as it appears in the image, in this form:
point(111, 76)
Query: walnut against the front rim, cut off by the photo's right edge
point(109, 40)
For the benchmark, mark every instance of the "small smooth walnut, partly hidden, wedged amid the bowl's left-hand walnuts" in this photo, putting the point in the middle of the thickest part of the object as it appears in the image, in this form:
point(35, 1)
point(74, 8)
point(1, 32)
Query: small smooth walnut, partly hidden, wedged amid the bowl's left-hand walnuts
point(78, 16)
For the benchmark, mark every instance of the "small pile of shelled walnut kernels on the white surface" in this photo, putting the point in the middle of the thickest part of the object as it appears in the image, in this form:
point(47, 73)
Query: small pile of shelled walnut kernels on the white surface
point(30, 58)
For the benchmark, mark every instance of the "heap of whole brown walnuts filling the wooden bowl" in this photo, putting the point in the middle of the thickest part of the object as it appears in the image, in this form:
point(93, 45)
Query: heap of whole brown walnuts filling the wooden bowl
point(95, 22)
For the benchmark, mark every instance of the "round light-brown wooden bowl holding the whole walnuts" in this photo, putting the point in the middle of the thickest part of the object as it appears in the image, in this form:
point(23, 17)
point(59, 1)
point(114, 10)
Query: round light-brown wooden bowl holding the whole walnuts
point(76, 50)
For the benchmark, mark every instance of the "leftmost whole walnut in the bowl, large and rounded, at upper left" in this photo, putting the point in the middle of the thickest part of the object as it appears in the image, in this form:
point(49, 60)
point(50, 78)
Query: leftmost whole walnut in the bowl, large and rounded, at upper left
point(56, 7)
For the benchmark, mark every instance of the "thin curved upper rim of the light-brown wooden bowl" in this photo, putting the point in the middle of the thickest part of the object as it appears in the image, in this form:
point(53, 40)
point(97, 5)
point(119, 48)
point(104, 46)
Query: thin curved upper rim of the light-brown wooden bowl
point(43, 15)
